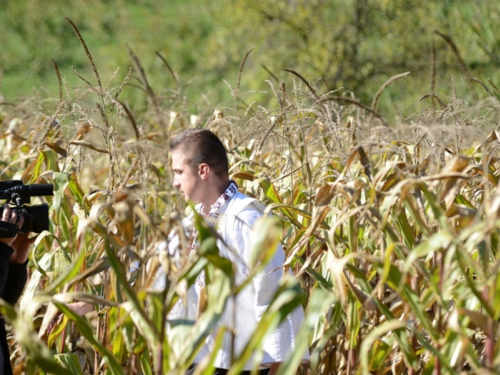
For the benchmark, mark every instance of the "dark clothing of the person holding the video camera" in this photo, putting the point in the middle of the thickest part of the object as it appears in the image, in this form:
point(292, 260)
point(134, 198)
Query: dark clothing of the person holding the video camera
point(12, 280)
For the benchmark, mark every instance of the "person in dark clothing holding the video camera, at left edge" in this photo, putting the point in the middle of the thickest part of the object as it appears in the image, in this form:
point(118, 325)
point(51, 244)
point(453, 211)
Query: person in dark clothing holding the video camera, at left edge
point(13, 275)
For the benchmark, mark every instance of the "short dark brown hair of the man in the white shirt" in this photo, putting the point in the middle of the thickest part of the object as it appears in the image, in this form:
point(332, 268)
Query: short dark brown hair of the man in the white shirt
point(202, 146)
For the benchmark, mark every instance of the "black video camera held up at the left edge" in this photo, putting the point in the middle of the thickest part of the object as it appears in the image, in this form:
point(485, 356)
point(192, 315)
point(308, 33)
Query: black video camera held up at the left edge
point(36, 218)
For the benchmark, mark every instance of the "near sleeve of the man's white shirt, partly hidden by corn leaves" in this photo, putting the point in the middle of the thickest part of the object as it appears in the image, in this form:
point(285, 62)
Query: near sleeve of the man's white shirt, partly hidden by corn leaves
point(265, 284)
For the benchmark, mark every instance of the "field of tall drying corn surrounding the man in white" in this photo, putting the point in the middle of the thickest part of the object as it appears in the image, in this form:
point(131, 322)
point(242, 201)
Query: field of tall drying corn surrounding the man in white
point(392, 229)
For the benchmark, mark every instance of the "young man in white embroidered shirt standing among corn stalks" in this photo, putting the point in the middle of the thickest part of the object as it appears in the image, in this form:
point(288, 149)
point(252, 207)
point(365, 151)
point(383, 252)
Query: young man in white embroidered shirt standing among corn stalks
point(200, 166)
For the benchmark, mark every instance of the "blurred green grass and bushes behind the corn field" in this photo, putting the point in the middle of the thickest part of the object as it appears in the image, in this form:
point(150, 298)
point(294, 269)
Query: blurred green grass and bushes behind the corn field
point(355, 45)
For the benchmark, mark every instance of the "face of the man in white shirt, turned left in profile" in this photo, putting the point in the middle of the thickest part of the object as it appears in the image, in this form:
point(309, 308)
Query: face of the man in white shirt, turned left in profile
point(186, 180)
